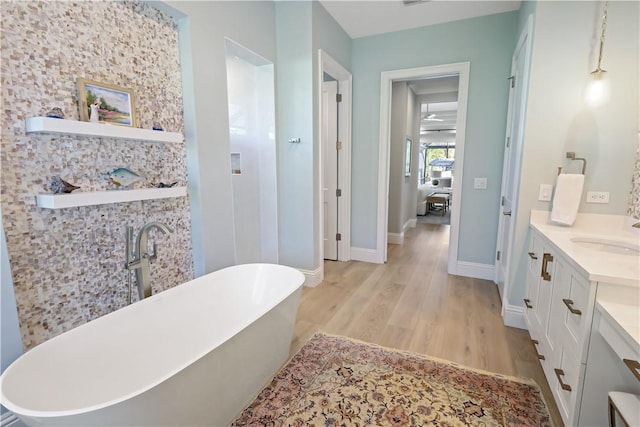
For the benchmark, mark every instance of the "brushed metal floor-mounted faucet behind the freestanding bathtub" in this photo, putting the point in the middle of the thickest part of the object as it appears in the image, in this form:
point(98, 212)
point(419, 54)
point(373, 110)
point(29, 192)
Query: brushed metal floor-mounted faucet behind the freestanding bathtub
point(141, 259)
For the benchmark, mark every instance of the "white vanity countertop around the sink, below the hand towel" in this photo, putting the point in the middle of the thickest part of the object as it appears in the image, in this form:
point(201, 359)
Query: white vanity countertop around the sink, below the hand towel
point(613, 266)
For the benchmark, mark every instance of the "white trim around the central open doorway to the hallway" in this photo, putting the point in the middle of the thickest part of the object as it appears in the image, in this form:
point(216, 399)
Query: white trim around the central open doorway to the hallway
point(386, 79)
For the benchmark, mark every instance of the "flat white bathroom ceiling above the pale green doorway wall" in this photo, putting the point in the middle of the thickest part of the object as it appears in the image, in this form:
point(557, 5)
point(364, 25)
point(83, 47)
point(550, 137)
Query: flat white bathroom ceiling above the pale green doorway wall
point(361, 18)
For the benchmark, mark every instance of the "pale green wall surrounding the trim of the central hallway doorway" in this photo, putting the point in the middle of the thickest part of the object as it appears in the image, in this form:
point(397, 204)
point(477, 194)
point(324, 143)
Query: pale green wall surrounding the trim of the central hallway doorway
point(487, 43)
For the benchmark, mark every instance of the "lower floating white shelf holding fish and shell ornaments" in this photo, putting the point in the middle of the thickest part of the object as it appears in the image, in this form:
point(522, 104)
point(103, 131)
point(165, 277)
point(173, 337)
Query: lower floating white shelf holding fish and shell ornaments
point(90, 198)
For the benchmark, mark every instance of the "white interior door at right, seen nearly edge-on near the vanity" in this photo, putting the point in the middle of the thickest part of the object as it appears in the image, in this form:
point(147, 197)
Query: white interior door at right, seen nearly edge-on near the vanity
point(512, 158)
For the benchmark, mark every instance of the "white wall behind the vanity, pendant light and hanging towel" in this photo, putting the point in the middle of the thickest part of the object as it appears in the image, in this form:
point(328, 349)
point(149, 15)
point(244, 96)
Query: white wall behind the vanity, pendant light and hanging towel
point(565, 48)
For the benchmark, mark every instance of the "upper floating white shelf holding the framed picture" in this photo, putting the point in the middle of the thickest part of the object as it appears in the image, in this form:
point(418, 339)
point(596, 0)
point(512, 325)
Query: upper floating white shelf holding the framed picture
point(74, 127)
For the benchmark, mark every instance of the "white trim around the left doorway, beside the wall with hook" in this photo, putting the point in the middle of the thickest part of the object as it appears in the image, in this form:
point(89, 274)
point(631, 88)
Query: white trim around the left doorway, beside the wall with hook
point(329, 65)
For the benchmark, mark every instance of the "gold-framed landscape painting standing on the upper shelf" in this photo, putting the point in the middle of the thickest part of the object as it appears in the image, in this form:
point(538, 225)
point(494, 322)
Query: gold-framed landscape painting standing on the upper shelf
point(106, 103)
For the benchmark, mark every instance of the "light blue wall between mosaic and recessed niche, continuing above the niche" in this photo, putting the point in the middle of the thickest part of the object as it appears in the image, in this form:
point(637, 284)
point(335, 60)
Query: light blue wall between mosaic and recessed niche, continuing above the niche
point(203, 27)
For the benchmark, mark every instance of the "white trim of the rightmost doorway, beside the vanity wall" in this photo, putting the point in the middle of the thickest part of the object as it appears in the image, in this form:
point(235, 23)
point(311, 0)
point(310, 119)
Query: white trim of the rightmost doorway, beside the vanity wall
point(517, 143)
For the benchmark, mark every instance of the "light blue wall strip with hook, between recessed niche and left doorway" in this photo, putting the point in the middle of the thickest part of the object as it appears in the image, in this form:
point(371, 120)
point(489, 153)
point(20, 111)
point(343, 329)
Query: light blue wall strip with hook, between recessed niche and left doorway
point(294, 98)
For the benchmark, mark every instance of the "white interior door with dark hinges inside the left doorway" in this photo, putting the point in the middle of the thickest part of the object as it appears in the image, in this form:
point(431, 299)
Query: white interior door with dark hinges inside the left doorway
point(330, 175)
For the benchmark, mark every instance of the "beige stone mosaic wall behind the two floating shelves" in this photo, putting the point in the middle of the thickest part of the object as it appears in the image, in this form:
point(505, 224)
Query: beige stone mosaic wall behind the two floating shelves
point(67, 264)
